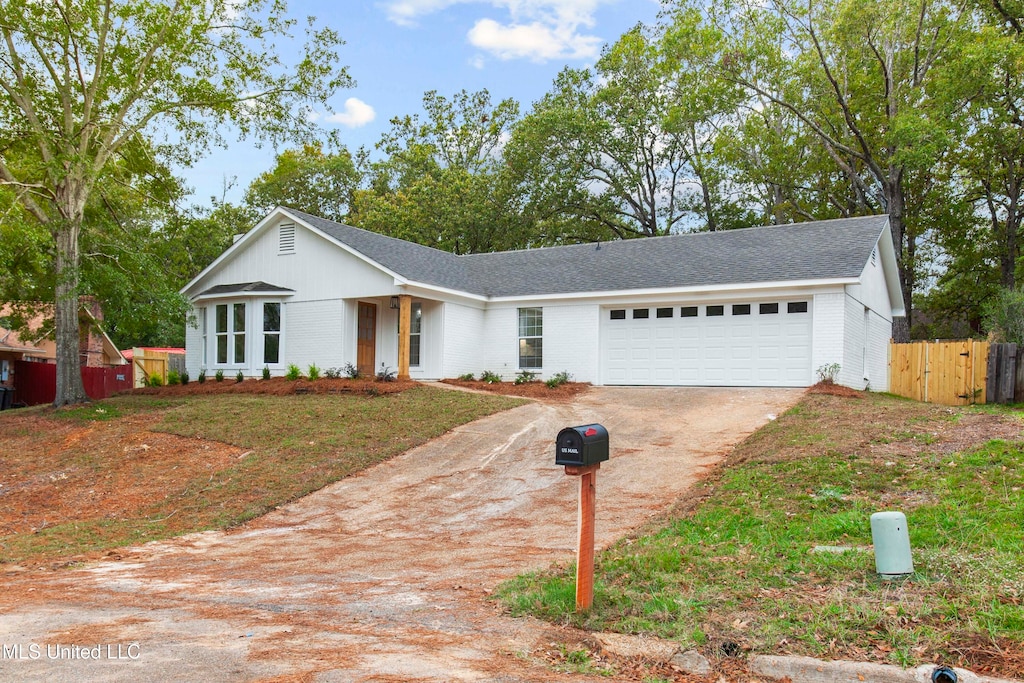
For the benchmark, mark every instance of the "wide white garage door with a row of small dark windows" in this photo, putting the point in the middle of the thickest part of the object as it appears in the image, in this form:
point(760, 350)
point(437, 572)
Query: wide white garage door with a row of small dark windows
point(761, 344)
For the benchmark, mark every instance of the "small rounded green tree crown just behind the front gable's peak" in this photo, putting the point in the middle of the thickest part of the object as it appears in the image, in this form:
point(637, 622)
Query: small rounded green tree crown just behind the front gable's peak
point(310, 181)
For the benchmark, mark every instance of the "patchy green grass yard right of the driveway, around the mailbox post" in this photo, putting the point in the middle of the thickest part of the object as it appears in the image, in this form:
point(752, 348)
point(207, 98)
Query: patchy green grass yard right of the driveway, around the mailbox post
point(734, 569)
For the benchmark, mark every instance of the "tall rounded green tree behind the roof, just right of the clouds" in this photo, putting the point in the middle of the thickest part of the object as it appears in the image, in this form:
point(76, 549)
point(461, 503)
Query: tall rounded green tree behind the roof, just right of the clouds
point(595, 151)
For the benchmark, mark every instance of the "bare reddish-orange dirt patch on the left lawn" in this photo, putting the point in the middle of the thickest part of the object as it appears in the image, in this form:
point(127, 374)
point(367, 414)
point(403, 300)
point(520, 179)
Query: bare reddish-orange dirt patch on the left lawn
point(53, 476)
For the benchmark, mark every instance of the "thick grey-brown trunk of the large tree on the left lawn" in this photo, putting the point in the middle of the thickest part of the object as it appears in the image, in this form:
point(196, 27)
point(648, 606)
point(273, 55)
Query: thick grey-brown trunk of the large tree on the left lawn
point(70, 390)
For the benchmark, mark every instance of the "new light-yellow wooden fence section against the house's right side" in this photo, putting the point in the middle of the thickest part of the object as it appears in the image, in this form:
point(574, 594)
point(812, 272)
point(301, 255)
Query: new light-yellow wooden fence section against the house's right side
point(950, 373)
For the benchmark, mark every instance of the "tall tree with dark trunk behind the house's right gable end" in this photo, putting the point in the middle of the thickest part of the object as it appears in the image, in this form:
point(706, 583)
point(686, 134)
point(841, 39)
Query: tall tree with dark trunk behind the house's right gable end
point(857, 74)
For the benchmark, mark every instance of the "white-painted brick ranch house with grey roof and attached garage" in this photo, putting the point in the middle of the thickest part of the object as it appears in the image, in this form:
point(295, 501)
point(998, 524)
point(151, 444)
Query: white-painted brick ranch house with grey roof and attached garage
point(763, 307)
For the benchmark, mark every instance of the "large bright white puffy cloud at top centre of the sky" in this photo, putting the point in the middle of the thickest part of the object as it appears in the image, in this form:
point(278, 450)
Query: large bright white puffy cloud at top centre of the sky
point(532, 41)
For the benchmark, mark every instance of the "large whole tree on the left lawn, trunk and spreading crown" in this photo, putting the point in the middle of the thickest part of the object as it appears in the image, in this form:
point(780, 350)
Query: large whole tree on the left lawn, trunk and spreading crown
point(87, 83)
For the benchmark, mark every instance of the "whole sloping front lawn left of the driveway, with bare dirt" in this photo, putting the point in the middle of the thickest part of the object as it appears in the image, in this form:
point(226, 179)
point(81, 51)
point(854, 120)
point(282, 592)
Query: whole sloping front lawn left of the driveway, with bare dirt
point(79, 483)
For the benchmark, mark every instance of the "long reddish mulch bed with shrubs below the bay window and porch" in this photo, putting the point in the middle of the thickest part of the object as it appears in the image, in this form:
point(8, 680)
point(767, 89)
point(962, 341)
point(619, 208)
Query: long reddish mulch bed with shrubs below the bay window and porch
point(280, 387)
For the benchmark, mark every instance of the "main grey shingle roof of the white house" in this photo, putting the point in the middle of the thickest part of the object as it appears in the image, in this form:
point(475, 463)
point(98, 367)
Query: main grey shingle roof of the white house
point(819, 250)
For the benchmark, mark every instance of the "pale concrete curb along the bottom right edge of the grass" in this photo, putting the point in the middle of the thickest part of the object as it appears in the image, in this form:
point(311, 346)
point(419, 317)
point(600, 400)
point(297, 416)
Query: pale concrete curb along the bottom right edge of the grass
point(809, 670)
